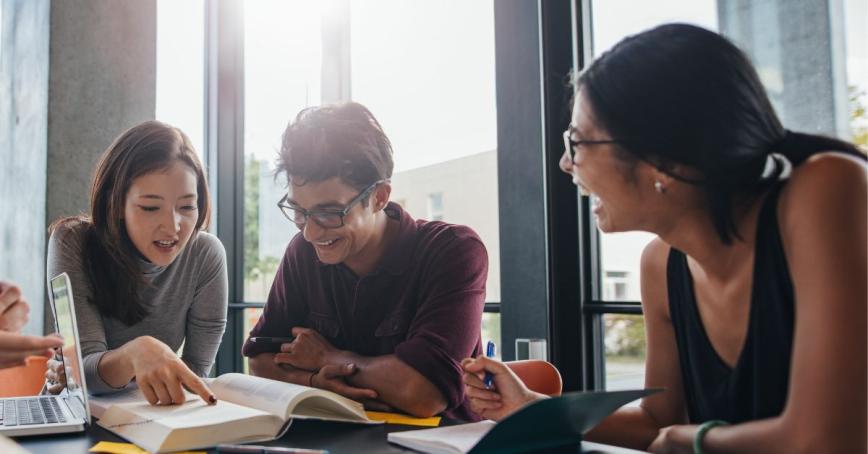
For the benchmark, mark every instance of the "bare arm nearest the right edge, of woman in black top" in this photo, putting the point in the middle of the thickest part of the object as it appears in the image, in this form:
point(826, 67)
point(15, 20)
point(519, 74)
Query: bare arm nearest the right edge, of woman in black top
point(823, 225)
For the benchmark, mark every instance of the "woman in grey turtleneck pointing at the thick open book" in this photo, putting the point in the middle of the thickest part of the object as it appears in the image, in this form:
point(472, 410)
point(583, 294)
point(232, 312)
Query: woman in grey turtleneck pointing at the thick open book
point(145, 276)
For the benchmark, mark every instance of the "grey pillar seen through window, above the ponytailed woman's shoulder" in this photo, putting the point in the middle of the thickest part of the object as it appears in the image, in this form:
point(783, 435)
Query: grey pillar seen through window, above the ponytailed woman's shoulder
point(798, 50)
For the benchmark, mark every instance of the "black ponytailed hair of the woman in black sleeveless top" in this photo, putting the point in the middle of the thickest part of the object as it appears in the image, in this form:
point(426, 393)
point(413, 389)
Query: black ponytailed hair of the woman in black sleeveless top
point(682, 95)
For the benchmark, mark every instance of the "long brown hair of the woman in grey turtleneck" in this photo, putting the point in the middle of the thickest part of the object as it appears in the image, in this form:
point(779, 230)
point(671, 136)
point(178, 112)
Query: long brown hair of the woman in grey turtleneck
point(109, 254)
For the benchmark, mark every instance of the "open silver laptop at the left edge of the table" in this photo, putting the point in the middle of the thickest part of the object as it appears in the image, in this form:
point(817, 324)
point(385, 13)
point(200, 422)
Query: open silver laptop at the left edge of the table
point(64, 412)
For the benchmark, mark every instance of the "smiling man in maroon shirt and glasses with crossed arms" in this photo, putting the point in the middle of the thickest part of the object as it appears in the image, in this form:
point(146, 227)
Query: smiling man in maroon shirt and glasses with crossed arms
point(370, 303)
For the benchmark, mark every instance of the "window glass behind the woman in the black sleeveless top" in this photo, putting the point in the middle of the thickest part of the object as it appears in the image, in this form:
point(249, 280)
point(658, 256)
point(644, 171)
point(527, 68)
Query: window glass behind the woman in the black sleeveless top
point(813, 88)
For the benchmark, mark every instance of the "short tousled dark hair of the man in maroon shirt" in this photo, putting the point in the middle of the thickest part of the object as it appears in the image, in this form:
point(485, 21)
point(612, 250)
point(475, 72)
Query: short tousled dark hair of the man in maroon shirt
point(338, 140)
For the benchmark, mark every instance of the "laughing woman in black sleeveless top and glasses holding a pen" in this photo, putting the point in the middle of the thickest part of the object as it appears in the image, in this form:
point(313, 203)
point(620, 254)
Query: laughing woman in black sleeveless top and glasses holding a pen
point(754, 292)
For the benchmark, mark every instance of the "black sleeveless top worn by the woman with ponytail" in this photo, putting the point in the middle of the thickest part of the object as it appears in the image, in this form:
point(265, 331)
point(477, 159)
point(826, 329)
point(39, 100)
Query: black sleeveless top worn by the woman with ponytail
point(757, 387)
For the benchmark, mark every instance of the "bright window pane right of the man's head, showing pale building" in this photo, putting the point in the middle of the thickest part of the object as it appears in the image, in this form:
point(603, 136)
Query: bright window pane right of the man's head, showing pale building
point(426, 71)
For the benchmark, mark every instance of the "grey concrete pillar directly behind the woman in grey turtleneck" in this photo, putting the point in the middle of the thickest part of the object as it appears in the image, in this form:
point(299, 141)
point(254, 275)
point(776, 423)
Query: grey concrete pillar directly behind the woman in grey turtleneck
point(102, 80)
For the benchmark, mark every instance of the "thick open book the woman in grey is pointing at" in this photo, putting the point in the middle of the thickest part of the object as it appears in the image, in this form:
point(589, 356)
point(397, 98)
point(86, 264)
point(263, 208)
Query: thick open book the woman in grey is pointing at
point(248, 409)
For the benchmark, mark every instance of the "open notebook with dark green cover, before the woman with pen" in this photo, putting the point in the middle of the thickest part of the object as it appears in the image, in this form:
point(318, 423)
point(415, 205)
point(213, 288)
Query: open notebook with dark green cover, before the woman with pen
point(545, 424)
